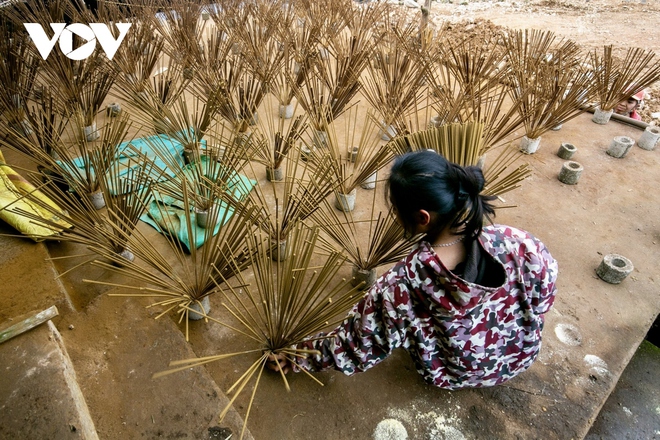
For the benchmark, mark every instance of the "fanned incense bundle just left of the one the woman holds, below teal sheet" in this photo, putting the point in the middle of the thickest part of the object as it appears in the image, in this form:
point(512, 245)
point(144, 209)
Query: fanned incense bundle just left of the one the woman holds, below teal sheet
point(196, 272)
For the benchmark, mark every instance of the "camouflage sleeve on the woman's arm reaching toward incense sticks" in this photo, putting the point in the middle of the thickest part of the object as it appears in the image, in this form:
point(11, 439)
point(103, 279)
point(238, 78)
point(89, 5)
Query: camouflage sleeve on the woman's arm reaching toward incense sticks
point(368, 335)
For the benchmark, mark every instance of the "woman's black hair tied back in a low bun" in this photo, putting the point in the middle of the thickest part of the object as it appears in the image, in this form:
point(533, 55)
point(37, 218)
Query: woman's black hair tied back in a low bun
point(426, 180)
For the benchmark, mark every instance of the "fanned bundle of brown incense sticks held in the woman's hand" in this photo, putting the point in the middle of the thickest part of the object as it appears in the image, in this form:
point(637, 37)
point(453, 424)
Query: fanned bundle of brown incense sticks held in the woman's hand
point(286, 303)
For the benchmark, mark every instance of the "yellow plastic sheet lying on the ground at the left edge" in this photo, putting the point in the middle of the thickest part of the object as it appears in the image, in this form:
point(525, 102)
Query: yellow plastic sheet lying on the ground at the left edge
point(18, 195)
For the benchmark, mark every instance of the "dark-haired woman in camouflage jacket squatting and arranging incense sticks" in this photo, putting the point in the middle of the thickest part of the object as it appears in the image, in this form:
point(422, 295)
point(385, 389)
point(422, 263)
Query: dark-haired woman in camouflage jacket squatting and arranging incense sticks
point(467, 303)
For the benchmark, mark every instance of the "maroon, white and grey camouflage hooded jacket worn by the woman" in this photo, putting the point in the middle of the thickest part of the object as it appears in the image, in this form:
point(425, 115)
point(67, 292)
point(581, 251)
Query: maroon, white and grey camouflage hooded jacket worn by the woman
point(459, 334)
